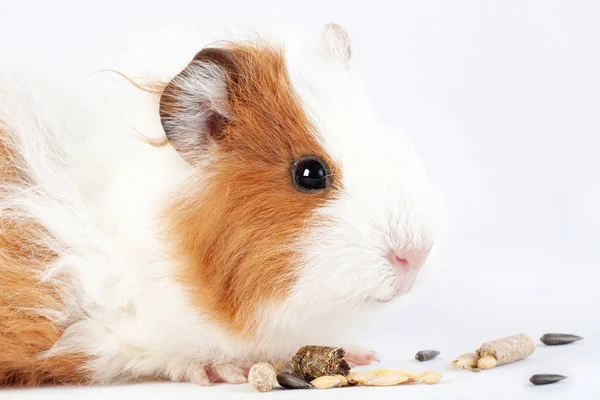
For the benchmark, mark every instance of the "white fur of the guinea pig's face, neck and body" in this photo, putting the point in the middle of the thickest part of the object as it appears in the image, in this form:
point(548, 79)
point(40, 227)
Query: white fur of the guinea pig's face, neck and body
point(99, 189)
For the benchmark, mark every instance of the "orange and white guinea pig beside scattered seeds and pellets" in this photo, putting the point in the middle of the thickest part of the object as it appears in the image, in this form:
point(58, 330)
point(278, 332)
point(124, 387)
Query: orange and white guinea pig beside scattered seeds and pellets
point(185, 228)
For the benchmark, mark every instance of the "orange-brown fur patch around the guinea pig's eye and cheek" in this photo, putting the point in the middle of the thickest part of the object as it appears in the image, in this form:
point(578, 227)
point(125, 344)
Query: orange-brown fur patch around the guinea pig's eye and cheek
point(232, 234)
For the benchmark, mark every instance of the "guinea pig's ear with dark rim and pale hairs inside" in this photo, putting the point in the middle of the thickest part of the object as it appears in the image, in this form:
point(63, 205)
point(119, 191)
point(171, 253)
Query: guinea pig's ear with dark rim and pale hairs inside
point(194, 105)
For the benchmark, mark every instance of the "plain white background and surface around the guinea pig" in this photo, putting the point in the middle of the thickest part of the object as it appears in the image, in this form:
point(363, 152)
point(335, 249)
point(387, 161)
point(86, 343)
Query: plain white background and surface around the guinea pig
point(503, 101)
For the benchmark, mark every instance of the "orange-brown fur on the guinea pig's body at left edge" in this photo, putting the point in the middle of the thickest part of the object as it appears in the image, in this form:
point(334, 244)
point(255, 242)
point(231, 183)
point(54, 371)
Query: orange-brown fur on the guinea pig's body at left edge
point(25, 333)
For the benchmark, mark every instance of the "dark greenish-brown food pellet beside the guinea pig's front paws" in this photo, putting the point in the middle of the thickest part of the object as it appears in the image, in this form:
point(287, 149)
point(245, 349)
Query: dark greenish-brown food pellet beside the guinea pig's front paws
point(311, 362)
